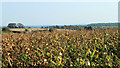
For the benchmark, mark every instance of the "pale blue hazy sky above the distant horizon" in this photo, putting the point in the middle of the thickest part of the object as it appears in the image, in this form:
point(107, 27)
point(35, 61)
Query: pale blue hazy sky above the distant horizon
point(59, 13)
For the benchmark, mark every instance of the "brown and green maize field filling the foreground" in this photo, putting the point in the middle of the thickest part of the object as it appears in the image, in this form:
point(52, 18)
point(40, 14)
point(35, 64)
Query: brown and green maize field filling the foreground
point(97, 47)
